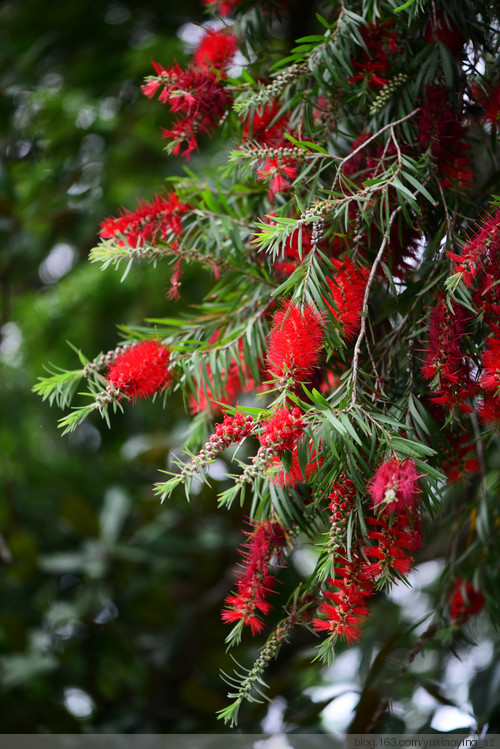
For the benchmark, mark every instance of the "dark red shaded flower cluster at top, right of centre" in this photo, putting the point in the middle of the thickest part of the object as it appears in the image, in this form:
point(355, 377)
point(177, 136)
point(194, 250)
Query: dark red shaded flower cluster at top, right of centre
point(380, 45)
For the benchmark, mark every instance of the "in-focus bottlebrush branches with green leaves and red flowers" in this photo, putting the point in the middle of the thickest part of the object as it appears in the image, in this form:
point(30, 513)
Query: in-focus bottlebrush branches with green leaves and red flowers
point(345, 357)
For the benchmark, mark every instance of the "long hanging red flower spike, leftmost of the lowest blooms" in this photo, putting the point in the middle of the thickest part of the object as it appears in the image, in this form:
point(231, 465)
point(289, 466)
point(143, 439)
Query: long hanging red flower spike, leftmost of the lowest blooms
point(265, 542)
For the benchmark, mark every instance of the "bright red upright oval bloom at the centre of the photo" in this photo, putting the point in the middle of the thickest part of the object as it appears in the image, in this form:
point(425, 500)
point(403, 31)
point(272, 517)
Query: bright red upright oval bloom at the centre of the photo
point(295, 342)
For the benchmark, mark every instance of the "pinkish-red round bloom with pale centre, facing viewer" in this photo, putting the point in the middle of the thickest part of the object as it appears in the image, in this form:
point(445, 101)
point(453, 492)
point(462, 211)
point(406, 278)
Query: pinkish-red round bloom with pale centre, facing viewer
point(394, 487)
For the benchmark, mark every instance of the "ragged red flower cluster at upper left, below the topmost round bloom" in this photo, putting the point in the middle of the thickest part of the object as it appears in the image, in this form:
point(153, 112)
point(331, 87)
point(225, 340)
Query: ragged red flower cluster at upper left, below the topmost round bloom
point(196, 95)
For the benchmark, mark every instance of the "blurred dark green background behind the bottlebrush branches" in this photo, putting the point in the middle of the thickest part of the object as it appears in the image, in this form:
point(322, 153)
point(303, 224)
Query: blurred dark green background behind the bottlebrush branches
point(110, 602)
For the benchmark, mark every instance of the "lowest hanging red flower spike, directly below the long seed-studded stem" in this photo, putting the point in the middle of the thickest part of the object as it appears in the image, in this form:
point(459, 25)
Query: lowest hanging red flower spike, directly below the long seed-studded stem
point(344, 616)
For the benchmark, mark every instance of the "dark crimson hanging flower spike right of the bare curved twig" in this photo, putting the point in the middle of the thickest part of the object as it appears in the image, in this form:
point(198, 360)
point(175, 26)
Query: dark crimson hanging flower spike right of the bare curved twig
point(446, 366)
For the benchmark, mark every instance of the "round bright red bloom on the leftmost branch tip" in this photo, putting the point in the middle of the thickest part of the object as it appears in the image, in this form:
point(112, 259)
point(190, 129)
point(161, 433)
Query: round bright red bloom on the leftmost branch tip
point(141, 370)
